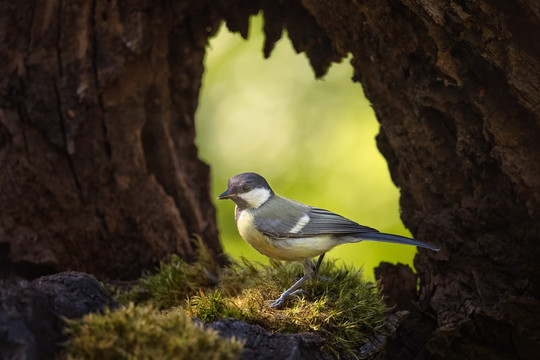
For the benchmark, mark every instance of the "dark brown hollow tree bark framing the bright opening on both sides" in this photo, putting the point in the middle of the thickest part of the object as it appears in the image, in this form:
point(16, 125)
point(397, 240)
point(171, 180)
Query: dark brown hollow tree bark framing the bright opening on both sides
point(100, 174)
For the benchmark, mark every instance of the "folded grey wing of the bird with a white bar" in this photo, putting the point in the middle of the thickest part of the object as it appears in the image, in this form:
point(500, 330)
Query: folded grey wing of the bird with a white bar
point(301, 221)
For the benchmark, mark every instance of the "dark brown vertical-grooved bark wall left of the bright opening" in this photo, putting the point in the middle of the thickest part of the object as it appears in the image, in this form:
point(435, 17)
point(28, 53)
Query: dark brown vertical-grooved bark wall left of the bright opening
point(99, 168)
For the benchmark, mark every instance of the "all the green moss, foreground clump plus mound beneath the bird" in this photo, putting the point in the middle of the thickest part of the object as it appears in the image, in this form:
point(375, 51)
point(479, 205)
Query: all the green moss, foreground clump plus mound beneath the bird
point(339, 305)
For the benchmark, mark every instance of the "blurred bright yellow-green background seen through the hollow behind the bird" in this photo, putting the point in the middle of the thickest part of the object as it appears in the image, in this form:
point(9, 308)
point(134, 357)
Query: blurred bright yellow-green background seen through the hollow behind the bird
point(313, 140)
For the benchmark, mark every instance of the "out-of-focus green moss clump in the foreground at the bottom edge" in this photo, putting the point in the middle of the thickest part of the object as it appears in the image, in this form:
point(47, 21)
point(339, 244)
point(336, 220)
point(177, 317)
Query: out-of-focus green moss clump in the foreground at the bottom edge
point(142, 332)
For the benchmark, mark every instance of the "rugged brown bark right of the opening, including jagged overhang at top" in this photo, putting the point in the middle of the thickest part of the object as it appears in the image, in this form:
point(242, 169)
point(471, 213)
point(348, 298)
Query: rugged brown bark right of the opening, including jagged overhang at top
point(456, 88)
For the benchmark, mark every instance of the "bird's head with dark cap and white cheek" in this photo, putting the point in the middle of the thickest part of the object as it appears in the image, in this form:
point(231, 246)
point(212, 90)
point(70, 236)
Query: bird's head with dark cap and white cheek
point(247, 190)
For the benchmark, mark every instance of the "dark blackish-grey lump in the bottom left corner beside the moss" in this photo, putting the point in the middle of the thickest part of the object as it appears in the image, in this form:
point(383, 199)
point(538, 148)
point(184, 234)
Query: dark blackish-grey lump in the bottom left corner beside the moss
point(31, 313)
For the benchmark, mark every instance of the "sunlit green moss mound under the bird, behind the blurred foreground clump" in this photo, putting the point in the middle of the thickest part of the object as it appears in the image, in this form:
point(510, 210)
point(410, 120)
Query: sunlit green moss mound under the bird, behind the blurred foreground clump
point(343, 308)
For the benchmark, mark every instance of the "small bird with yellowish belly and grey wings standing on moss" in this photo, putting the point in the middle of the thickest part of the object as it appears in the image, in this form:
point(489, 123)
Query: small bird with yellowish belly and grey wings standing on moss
point(285, 229)
